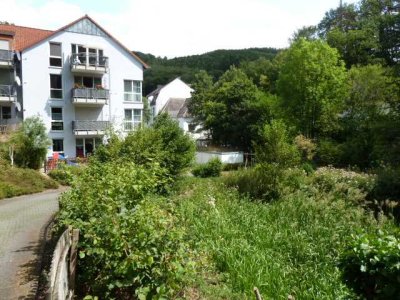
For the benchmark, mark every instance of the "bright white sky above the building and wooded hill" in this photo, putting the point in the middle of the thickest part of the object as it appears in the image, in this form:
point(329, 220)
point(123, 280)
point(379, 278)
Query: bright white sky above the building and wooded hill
point(178, 27)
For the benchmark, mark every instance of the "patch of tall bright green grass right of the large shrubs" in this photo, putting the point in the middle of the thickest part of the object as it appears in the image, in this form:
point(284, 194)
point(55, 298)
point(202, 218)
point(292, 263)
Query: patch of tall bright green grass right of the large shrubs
point(287, 247)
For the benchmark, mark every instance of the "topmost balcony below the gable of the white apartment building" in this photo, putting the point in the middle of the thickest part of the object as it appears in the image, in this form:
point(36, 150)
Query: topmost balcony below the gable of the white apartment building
point(88, 63)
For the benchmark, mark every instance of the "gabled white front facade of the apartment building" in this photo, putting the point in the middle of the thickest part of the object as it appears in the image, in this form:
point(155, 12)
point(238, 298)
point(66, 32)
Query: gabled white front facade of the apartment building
point(36, 85)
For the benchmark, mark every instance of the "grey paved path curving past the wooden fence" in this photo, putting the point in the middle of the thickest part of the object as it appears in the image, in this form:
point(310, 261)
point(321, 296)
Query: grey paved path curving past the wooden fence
point(22, 225)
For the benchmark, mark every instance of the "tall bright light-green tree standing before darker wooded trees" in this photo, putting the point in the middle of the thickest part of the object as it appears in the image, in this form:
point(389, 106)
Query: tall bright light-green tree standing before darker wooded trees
point(312, 85)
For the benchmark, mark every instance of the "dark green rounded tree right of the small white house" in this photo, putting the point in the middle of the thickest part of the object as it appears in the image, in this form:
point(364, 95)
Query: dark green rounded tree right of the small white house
point(232, 108)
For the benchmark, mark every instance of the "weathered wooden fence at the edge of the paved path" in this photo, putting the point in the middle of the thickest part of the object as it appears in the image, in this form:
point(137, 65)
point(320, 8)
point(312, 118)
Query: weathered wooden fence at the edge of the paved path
point(63, 266)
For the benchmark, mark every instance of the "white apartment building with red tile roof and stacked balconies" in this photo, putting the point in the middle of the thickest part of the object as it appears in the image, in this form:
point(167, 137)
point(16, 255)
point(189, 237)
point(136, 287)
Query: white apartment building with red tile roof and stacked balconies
point(79, 79)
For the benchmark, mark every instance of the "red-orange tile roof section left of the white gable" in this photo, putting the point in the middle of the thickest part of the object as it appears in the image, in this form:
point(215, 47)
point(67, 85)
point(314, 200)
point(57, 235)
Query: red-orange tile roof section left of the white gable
point(25, 36)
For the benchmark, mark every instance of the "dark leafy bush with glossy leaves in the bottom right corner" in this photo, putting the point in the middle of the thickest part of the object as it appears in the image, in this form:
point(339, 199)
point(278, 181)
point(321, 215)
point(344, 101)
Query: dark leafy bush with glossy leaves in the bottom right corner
point(371, 265)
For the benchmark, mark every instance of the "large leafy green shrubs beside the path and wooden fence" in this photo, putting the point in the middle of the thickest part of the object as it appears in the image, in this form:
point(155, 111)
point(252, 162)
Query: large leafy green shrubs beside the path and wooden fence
point(129, 243)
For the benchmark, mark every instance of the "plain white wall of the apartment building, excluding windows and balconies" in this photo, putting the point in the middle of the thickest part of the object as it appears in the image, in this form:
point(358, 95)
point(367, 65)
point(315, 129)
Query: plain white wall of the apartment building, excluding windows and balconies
point(36, 84)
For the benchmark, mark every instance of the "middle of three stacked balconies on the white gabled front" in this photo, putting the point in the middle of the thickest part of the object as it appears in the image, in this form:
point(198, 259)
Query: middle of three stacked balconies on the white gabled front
point(90, 97)
